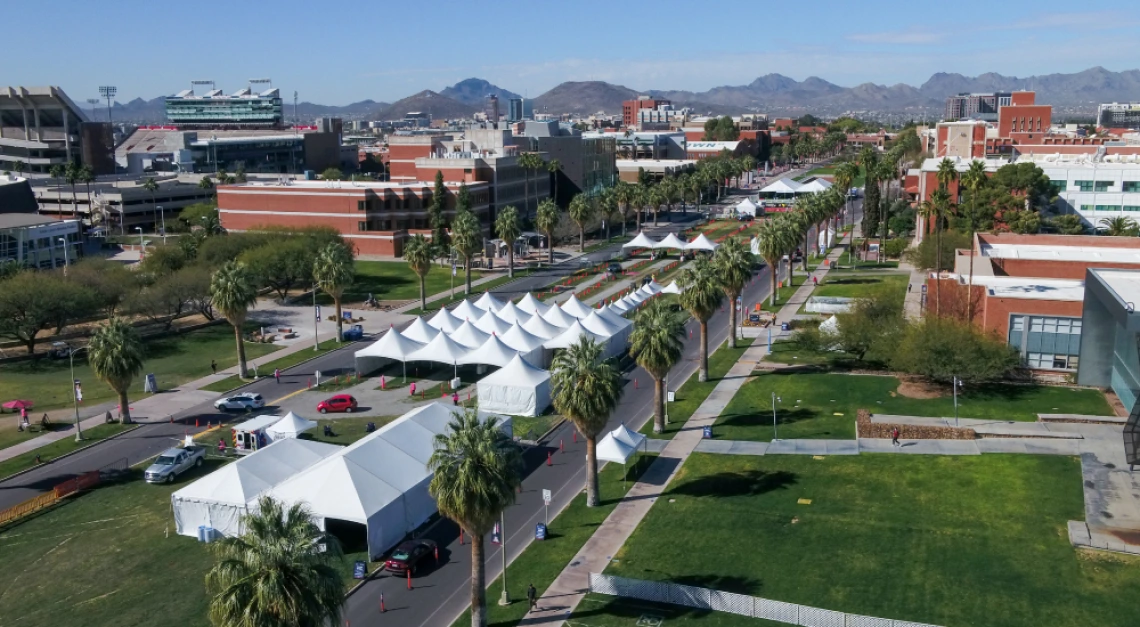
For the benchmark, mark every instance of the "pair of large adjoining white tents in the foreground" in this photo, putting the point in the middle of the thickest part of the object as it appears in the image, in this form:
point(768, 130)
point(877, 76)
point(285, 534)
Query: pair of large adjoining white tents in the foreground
point(380, 482)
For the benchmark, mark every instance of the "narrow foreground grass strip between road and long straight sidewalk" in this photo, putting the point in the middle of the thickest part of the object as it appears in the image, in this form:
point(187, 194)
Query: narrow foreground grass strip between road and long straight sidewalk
point(542, 563)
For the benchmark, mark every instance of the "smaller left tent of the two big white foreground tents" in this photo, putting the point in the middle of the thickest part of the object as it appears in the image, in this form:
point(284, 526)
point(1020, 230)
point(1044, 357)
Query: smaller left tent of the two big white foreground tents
point(221, 499)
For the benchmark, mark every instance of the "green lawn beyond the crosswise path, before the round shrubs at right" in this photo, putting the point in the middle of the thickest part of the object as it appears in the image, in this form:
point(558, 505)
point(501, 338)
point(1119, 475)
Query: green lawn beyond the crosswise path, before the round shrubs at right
point(810, 404)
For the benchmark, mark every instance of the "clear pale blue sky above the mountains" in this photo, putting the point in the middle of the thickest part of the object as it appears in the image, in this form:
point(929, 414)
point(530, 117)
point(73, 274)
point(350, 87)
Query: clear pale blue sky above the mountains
point(338, 53)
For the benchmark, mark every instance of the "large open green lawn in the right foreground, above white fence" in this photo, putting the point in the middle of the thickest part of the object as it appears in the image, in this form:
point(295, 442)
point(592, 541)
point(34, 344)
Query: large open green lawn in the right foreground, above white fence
point(957, 542)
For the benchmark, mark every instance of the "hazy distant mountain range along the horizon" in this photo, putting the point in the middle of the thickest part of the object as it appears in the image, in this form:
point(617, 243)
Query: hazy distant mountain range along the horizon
point(776, 94)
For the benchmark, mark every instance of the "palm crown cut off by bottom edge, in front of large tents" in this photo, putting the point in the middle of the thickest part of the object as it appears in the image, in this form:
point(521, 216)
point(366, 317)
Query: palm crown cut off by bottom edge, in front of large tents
point(283, 571)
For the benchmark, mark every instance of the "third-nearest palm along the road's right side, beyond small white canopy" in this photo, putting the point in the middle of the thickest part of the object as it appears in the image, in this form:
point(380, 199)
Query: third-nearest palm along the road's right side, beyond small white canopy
point(656, 345)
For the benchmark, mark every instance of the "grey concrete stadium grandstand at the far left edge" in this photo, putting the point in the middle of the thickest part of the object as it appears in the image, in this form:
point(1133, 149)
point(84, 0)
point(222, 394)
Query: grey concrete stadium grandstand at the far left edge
point(42, 127)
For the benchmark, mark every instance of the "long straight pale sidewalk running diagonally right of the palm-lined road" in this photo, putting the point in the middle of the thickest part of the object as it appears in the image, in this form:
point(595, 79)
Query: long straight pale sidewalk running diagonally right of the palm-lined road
point(568, 590)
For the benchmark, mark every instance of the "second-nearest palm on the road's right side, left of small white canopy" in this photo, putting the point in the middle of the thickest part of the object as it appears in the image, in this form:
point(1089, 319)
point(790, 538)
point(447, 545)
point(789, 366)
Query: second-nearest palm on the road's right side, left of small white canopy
point(587, 390)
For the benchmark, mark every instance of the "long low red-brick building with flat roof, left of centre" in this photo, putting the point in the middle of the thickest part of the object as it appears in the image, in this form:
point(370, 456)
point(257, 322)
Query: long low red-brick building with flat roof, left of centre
point(377, 217)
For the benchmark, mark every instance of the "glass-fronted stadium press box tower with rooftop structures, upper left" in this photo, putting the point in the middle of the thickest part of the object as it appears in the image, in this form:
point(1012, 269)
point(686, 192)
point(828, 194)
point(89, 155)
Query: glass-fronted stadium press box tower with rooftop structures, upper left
point(243, 109)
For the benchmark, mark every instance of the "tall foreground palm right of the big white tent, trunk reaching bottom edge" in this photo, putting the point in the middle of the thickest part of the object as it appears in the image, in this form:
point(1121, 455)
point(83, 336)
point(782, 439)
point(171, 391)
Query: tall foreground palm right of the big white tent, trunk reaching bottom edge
point(476, 471)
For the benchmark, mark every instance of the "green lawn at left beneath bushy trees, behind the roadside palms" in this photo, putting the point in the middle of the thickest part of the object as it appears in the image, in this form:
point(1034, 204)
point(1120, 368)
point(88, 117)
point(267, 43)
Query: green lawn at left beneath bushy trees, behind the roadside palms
point(175, 359)
